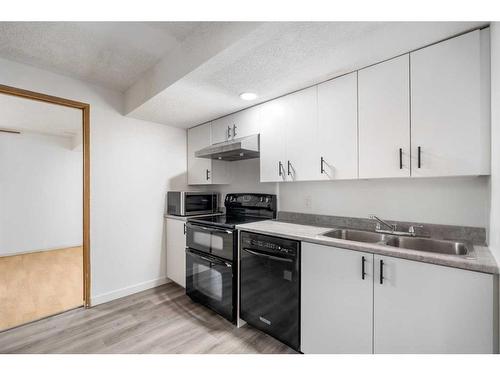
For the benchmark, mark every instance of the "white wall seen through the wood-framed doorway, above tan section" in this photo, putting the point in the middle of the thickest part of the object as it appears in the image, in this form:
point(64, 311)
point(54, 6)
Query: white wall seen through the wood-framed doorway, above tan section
point(40, 193)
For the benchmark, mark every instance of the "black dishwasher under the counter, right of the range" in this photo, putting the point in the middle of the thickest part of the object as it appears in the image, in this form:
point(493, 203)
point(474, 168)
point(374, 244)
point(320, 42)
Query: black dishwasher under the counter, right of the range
point(270, 286)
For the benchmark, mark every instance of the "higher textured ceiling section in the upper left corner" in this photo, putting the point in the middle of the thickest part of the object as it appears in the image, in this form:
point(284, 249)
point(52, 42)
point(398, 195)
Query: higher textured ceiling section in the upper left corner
point(112, 54)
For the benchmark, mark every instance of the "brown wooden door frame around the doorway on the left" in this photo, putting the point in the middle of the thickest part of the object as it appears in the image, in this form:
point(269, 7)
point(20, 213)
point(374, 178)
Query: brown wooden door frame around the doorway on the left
point(85, 108)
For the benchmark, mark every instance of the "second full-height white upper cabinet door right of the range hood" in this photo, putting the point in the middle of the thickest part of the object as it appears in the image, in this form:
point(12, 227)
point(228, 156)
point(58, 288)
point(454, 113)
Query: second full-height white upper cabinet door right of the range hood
point(301, 132)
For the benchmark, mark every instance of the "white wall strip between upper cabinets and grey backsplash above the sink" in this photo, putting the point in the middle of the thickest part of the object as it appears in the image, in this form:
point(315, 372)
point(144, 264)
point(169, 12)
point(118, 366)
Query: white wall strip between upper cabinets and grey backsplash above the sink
point(454, 201)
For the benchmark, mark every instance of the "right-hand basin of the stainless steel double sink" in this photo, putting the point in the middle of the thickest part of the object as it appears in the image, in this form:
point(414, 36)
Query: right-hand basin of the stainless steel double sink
point(429, 245)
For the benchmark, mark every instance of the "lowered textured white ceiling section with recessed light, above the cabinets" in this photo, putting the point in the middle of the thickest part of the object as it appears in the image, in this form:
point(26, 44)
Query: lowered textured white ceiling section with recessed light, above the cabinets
point(278, 58)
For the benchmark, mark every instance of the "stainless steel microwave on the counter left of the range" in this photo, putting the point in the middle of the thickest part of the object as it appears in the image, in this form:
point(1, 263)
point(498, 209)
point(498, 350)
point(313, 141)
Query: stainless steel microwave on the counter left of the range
point(188, 203)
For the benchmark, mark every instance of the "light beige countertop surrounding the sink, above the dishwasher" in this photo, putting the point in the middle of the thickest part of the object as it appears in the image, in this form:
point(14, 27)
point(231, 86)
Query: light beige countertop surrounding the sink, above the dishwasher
point(480, 259)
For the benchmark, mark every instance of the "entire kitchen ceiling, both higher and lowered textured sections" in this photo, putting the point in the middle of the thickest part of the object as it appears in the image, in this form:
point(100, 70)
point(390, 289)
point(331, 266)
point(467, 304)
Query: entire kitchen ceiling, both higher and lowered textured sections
point(183, 74)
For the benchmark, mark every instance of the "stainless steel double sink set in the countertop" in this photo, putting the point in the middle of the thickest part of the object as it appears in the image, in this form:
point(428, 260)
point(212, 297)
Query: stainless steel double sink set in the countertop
point(412, 243)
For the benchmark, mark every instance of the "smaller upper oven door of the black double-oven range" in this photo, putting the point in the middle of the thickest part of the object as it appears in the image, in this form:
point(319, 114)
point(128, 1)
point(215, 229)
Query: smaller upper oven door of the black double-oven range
point(215, 241)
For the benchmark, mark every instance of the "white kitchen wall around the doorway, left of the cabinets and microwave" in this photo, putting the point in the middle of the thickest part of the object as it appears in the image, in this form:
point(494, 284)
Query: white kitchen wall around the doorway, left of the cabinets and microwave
point(133, 164)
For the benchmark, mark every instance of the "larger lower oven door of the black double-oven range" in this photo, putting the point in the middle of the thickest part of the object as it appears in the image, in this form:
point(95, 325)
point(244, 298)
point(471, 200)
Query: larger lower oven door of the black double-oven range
point(209, 281)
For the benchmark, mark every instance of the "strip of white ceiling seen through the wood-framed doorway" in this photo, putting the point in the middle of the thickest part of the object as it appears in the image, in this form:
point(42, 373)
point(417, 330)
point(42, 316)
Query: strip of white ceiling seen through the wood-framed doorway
point(33, 116)
